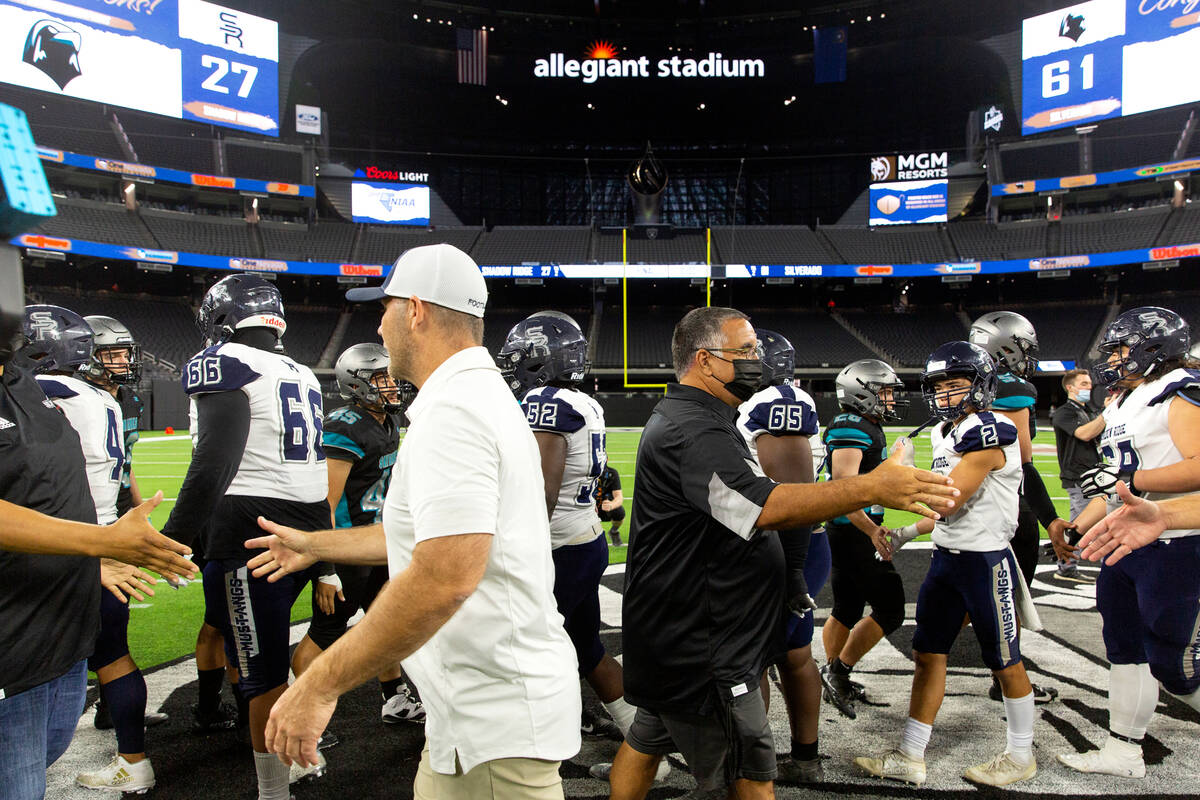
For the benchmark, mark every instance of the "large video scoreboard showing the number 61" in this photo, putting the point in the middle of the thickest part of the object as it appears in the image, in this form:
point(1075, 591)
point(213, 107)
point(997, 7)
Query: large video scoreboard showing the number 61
point(1108, 58)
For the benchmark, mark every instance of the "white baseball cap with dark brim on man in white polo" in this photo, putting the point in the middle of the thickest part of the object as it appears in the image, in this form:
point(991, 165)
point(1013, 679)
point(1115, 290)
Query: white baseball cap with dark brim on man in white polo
point(439, 274)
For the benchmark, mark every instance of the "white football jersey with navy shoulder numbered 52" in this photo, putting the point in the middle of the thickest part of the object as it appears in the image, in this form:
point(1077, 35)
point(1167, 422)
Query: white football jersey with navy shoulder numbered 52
point(580, 419)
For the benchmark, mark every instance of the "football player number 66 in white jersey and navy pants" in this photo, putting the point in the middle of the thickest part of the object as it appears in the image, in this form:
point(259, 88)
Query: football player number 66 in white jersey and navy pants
point(259, 452)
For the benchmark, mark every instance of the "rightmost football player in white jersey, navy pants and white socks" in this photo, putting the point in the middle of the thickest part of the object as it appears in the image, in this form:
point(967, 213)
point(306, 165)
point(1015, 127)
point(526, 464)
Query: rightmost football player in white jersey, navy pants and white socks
point(1148, 601)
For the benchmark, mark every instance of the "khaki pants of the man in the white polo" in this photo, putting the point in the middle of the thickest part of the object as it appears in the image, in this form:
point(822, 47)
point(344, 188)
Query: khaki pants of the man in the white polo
point(505, 779)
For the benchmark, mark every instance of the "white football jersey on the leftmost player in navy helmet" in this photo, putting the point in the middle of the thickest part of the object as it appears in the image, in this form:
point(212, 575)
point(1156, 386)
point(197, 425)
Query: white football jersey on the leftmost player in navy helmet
point(98, 419)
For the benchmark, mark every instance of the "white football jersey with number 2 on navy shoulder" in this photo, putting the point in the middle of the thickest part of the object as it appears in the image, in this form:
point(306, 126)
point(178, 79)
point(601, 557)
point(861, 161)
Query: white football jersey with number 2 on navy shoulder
point(988, 521)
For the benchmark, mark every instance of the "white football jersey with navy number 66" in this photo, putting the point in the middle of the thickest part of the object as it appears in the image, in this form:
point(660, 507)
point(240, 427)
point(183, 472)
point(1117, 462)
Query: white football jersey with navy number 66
point(284, 458)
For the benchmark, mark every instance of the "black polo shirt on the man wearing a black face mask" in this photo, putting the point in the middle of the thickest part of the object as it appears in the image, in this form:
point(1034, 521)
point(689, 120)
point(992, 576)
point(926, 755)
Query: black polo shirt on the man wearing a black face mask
point(704, 606)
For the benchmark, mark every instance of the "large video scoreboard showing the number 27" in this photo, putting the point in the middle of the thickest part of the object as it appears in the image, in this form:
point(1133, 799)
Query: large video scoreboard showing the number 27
point(189, 59)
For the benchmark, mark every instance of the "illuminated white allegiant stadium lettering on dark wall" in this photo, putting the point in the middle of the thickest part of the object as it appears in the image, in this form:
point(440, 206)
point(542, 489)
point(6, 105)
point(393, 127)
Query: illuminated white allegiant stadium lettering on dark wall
point(592, 70)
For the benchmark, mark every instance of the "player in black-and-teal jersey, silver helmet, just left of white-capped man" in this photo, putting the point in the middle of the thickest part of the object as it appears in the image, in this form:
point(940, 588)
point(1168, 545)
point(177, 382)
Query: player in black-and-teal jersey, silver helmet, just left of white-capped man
point(361, 442)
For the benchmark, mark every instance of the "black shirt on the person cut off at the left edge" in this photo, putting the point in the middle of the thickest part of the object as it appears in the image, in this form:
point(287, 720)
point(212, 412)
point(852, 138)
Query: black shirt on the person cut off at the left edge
point(50, 605)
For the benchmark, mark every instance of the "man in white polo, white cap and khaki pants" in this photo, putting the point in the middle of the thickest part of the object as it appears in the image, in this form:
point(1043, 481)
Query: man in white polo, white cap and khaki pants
point(470, 607)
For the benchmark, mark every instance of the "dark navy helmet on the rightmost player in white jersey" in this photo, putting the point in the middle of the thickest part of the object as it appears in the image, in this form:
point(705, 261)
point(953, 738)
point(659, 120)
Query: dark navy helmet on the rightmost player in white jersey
point(1153, 335)
